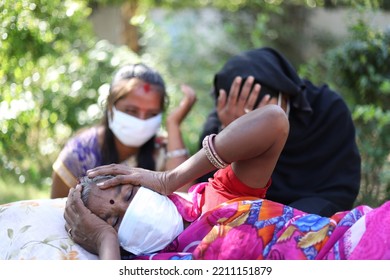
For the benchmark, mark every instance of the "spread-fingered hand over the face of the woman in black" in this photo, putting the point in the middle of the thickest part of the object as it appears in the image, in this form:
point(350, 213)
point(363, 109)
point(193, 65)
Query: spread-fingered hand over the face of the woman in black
point(239, 103)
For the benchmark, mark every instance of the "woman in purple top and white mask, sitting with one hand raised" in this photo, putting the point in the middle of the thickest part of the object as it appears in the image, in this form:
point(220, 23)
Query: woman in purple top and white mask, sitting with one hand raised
point(129, 130)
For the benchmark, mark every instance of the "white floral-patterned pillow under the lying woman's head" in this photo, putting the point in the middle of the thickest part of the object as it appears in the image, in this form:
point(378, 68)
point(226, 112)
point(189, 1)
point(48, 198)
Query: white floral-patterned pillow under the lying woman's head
point(35, 229)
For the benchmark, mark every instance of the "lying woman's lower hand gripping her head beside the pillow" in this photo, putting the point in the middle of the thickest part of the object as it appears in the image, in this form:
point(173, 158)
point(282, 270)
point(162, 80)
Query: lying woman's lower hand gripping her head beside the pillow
point(87, 229)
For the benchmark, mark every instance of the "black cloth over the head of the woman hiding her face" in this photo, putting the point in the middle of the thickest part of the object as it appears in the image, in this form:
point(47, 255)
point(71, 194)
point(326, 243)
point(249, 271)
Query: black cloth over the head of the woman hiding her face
point(271, 70)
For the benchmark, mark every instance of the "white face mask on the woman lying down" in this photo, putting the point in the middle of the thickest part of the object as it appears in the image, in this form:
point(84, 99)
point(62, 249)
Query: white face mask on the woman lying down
point(150, 223)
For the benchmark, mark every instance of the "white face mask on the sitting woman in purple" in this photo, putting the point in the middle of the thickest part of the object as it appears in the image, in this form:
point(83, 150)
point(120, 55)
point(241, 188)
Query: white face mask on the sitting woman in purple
point(132, 131)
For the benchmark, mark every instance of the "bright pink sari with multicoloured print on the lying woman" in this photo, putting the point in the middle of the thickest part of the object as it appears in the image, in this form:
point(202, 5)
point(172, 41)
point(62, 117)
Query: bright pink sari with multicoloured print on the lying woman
point(251, 229)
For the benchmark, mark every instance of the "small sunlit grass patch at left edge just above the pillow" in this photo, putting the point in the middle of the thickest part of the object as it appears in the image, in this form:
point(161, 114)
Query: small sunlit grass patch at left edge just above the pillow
point(11, 190)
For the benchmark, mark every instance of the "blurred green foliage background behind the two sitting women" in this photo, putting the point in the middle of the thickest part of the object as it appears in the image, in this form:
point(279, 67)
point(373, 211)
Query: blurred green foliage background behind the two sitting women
point(55, 72)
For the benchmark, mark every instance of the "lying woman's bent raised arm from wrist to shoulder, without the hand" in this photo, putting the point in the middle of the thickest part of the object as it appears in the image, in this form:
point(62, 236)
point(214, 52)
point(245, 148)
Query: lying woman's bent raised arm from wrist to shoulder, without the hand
point(253, 142)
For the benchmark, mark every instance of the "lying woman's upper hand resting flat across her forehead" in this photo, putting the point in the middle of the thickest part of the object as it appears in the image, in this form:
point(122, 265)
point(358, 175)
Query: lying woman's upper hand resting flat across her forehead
point(154, 180)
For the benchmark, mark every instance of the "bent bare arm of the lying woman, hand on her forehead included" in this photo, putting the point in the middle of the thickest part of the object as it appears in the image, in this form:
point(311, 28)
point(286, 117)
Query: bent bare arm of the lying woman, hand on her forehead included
point(253, 143)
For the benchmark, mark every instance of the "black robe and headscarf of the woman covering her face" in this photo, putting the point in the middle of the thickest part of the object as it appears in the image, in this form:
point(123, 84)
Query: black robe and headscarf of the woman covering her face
point(319, 168)
